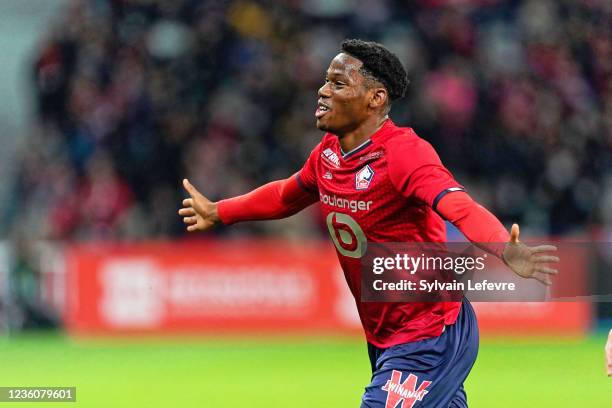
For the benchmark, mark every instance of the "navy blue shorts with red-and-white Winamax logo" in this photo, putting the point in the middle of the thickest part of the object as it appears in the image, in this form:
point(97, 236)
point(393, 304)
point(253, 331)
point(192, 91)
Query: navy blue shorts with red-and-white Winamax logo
point(427, 373)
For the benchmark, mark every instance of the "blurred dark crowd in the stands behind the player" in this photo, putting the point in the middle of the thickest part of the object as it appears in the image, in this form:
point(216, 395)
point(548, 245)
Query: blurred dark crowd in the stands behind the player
point(133, 95)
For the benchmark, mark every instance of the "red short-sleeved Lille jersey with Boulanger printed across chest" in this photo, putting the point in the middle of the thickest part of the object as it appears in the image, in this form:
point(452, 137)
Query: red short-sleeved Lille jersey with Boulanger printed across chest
point(385, 190)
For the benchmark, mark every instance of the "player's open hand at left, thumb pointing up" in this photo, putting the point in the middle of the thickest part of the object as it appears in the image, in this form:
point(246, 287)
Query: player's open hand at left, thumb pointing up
point(198, 212)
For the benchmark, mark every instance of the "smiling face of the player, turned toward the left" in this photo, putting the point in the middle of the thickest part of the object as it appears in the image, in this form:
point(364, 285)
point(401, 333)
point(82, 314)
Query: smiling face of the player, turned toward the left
point(343, 99)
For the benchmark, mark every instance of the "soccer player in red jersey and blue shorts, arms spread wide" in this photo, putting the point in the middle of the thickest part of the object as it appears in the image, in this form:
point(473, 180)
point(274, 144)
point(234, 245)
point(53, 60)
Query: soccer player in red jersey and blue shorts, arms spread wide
point(377, 182)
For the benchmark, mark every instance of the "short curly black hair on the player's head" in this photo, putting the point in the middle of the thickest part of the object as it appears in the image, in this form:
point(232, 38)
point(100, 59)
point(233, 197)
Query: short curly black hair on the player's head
point(380, 64)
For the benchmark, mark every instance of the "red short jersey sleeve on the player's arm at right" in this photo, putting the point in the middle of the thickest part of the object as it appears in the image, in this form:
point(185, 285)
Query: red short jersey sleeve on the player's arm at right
point(416, 171)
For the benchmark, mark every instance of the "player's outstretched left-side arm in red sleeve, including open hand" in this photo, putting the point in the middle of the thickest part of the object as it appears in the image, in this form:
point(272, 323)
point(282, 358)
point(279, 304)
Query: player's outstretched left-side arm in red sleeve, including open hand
point(278, 199)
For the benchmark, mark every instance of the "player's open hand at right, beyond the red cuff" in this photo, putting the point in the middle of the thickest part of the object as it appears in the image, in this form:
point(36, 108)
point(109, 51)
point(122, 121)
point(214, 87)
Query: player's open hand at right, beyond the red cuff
point(529, 262)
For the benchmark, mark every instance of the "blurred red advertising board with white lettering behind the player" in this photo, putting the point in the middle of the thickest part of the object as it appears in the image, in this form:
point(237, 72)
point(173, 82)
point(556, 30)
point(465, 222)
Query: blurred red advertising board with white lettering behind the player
point(246, 287)
